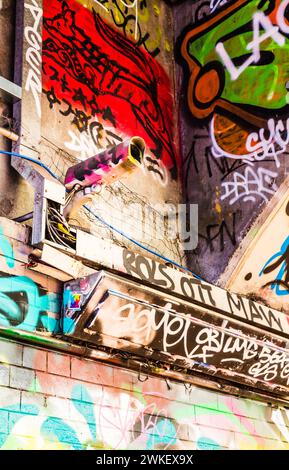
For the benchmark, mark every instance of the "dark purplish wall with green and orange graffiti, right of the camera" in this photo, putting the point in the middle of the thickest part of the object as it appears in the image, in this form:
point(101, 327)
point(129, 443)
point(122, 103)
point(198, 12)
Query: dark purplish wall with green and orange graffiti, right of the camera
point(232, 75)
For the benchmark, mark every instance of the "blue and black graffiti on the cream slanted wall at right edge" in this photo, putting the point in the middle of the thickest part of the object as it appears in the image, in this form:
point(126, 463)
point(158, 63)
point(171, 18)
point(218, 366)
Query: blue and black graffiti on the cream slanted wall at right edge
point(279, 260)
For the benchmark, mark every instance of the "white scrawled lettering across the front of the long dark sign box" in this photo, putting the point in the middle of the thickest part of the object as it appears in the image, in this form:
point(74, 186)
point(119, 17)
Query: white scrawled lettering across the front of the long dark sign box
point(187, 337)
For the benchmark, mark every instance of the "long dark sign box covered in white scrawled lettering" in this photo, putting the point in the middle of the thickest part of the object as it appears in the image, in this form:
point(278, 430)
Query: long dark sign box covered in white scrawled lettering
point(108, 310)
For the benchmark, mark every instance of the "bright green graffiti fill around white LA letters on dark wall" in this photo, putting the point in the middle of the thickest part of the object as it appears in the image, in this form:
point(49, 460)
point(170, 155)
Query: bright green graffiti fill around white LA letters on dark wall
point(266, 78)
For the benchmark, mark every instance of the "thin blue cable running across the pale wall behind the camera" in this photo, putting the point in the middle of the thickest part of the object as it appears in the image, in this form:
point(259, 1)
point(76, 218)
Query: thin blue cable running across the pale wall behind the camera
point(168, 260)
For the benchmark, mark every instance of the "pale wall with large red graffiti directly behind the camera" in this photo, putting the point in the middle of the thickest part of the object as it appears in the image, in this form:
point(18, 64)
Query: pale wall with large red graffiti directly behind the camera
point(96, 74)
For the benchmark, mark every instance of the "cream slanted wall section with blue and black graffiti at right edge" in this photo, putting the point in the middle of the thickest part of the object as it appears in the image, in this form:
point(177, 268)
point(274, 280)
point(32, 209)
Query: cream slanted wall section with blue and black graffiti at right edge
point(263, 269)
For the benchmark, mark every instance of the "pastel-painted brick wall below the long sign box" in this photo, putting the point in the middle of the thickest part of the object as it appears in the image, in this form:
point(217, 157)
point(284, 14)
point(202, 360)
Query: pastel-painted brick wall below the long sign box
point(56, 401)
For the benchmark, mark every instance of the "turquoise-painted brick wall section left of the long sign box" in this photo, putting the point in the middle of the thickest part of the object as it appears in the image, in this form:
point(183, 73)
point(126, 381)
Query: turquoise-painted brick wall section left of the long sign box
point(29, 300)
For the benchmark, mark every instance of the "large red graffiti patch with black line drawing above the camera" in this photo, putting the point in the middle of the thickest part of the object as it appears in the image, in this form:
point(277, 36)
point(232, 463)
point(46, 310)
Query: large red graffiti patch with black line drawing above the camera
point(92, 70)
